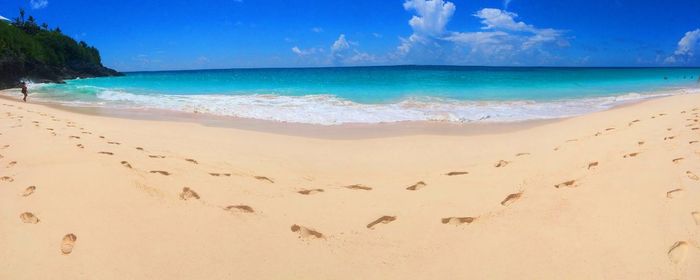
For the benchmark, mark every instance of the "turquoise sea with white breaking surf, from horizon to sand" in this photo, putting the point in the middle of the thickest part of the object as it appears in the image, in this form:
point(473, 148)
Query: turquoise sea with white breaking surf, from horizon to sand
point(378, 94)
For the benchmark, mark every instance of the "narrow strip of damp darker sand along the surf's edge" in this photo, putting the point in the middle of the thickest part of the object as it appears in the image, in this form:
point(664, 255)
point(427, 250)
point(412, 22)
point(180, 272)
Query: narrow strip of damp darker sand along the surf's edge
point(336, 131)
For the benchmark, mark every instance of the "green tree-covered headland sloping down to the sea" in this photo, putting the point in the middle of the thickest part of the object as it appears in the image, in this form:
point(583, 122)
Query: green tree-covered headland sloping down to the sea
point(30, 50)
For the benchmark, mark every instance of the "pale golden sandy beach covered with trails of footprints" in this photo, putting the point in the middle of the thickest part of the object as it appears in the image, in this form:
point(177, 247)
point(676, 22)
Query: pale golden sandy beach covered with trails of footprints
point(607, 195)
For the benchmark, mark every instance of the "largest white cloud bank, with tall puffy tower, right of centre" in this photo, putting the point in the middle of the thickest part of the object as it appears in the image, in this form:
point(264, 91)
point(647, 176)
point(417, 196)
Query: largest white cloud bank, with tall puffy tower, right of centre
point(501, 37)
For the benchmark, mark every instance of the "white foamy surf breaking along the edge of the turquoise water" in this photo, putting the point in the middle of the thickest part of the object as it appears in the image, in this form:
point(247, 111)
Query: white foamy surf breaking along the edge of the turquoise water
point(332, 110)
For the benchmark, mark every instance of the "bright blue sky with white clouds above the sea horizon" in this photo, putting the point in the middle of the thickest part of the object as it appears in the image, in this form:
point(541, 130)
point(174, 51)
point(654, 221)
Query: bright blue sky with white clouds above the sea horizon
point(178, 34)
